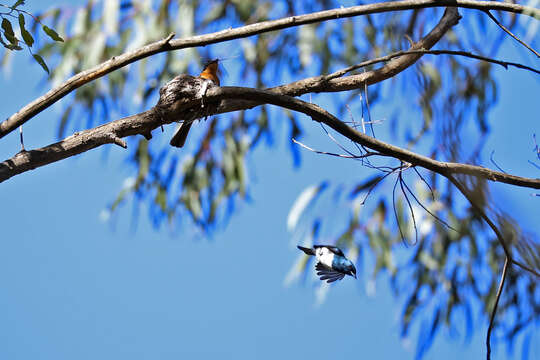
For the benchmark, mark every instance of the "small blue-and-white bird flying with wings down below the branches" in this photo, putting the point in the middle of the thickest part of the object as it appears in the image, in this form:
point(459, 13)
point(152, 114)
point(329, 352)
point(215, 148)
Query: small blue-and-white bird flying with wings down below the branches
point(332, 264)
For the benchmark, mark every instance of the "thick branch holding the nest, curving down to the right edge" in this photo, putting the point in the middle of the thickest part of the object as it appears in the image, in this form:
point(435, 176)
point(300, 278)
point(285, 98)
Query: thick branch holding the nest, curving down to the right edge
point(145, 122)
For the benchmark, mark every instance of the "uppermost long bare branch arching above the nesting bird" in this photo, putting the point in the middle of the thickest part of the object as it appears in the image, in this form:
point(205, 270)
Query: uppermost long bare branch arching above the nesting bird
point(76, 81)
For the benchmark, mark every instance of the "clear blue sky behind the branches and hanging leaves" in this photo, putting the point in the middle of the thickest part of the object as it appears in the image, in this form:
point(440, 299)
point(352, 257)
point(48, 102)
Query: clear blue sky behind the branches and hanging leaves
point(76, 287)
